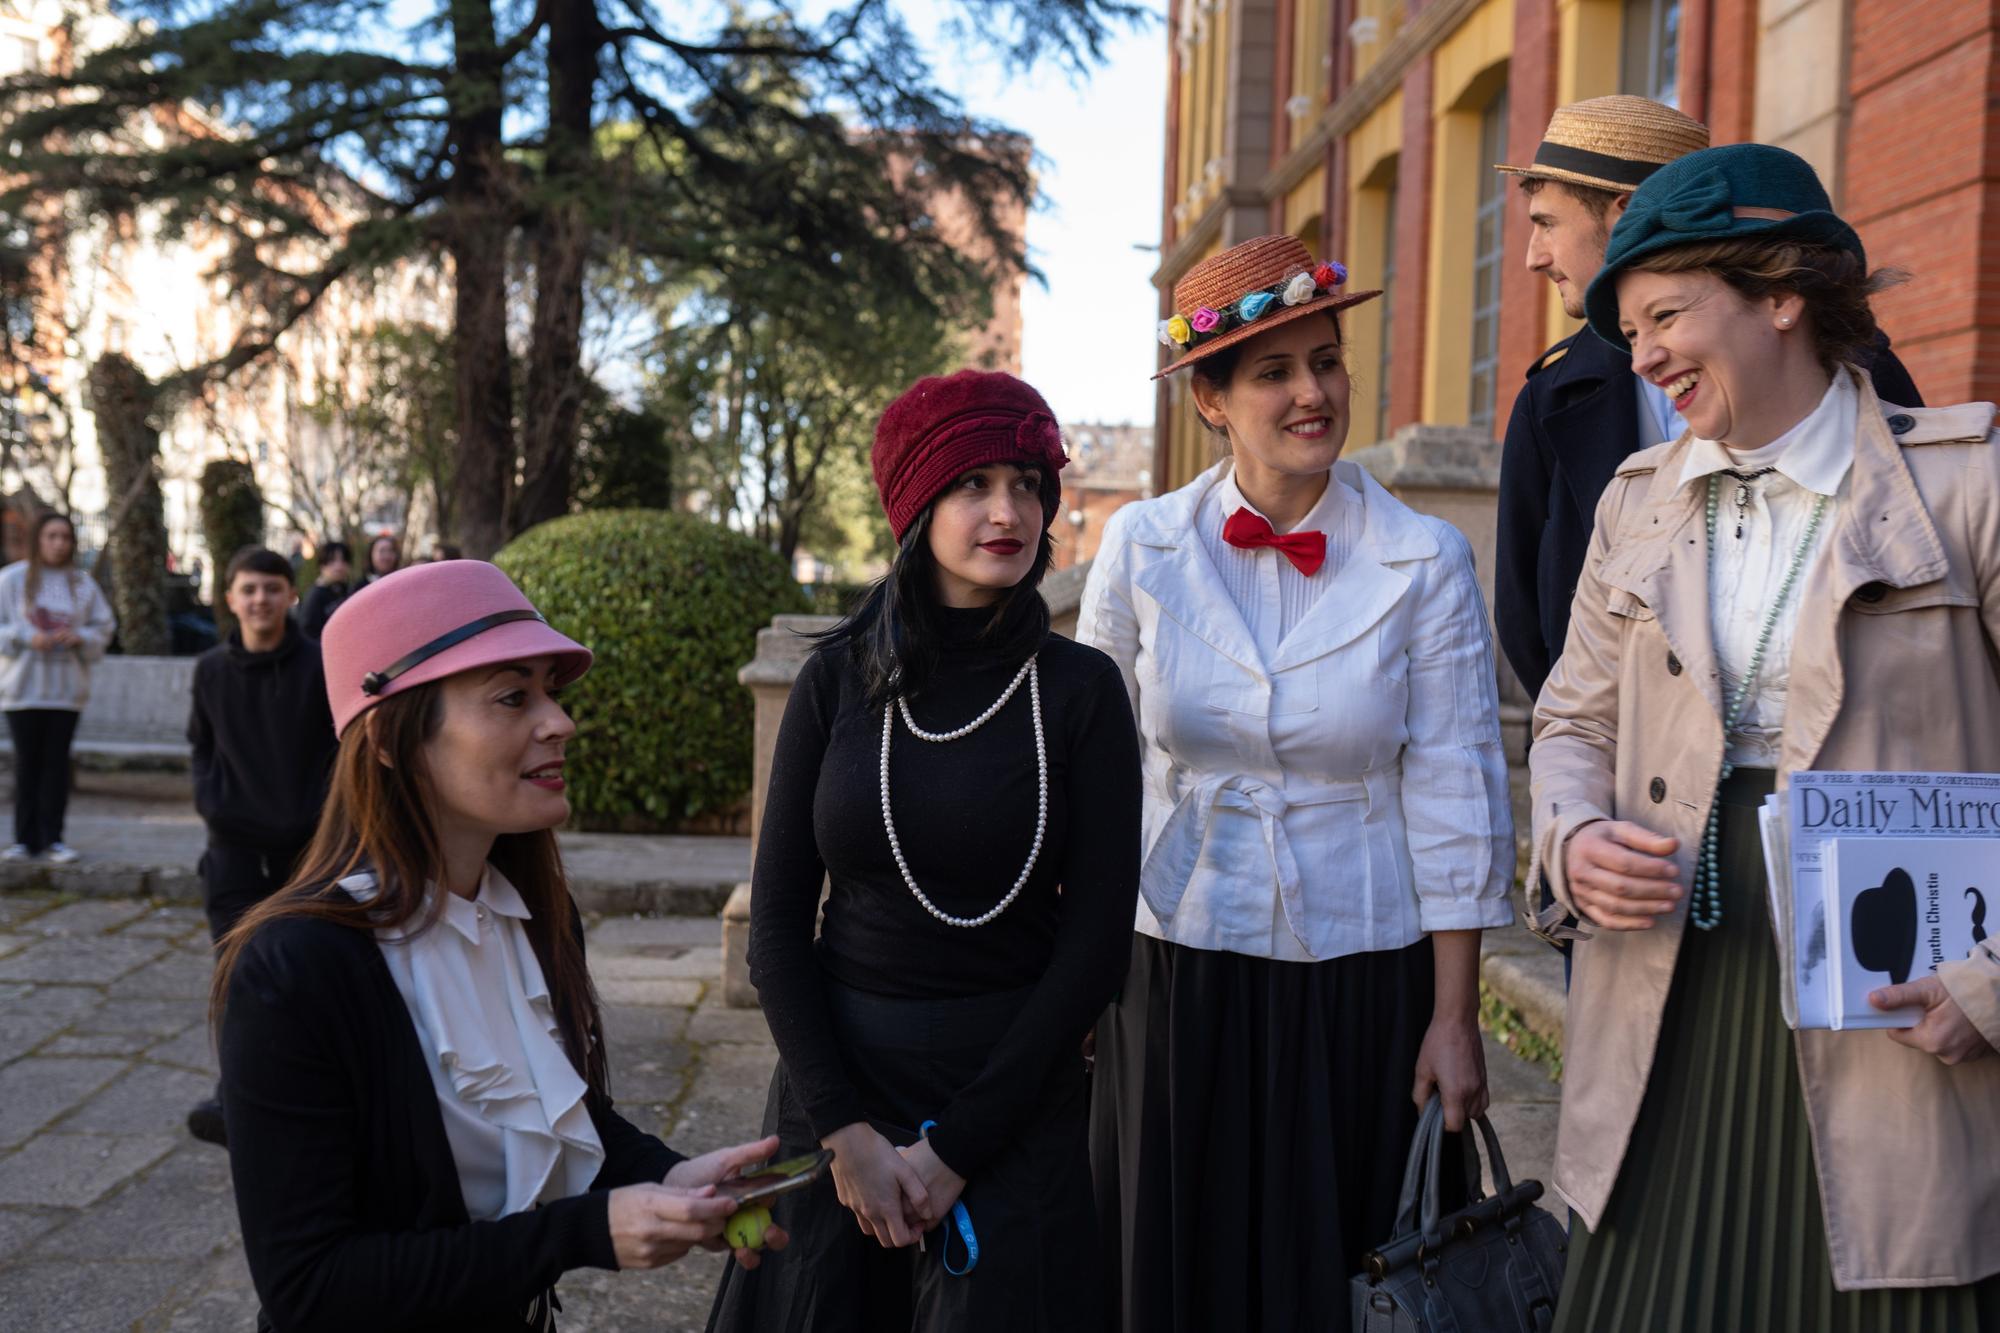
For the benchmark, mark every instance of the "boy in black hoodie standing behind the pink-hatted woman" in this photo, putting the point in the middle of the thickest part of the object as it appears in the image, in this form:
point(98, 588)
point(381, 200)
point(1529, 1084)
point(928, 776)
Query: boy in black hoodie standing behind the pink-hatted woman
point(263, 752)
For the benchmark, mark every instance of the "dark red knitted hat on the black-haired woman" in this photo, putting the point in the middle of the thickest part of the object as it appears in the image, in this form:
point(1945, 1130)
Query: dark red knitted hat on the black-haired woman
point(943, 427)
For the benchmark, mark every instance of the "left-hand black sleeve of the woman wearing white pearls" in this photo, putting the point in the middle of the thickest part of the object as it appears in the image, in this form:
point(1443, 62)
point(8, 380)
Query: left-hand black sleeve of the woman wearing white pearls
point(785, 906)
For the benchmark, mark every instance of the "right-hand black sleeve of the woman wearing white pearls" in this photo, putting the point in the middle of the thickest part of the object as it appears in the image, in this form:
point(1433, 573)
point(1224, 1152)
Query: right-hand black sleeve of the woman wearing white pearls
point(1093, 938)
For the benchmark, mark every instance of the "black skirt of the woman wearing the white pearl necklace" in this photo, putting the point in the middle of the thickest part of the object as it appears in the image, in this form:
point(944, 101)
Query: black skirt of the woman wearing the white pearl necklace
point(1031, 1206)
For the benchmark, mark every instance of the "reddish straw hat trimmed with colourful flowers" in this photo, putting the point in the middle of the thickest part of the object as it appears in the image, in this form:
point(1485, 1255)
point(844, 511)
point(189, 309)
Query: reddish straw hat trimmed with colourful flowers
point(1245, 291)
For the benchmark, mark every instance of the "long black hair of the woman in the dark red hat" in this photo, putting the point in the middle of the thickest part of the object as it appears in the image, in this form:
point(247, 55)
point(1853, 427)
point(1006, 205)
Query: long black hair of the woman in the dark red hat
point(895, 631)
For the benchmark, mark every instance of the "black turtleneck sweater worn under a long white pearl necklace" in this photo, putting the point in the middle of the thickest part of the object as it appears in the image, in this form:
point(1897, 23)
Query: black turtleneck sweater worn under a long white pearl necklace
point(965, 816)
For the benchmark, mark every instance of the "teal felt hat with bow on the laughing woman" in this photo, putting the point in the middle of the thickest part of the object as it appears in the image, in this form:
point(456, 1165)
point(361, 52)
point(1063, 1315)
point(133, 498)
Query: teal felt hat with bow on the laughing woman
point(1717, 195)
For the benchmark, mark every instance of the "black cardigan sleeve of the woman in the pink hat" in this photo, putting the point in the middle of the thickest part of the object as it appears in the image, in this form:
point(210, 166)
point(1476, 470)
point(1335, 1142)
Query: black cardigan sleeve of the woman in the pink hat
point(295, 1102)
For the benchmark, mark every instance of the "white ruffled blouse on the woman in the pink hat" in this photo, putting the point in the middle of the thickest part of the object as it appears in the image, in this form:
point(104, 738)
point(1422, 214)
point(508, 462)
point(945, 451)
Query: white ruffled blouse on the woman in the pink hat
point(513, 1104)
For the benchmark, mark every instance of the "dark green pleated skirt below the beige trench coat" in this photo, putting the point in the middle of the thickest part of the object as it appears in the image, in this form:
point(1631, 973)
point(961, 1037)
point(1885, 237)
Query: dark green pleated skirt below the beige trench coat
point(1715, 1222)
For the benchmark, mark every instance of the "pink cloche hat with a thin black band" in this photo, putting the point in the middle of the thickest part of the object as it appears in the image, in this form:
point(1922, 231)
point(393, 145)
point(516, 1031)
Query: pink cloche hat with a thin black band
point(427, 623)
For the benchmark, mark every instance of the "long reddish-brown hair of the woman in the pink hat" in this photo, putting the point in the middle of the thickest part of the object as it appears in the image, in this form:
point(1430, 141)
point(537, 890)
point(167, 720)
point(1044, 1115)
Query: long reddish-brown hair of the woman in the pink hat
point(379, 818)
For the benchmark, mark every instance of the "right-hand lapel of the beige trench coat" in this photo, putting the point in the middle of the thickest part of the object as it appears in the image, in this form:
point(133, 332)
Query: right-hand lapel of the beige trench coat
point(1883, 533)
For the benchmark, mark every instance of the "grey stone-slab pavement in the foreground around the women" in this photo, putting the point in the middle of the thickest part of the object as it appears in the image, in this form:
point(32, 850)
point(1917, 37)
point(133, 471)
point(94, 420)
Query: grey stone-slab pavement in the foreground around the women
point(113, 1218)
